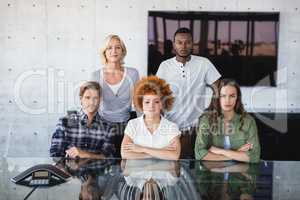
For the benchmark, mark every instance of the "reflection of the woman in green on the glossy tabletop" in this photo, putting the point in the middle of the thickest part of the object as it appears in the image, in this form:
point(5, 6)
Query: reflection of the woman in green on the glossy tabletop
point(227, 180)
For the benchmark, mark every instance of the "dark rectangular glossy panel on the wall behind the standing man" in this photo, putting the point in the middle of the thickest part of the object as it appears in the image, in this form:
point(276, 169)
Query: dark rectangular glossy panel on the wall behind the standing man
point(242, 45)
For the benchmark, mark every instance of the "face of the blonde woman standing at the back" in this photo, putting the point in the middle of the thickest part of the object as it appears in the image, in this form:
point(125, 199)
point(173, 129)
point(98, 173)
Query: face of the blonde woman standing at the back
point(114, 51)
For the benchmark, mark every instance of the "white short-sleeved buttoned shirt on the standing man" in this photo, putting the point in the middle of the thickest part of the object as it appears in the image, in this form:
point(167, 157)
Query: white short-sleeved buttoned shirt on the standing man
point(188, 83)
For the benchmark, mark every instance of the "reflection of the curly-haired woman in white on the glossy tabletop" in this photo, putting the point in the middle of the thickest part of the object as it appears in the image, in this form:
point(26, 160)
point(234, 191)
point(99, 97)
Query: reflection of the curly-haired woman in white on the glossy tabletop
point(156, 179)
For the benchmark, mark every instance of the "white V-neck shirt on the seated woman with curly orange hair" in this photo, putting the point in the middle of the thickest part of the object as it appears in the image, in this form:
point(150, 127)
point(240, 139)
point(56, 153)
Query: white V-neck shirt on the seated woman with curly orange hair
point(160, 138)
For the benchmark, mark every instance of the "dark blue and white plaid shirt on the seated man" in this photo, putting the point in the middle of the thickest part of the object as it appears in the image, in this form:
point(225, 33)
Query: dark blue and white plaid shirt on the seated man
point(95, 139)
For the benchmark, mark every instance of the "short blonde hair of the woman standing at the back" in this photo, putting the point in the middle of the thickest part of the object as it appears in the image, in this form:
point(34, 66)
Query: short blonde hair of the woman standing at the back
point(107, 40)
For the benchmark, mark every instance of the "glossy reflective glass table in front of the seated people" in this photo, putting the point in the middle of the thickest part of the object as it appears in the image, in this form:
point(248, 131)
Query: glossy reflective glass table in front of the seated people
point(156, 179)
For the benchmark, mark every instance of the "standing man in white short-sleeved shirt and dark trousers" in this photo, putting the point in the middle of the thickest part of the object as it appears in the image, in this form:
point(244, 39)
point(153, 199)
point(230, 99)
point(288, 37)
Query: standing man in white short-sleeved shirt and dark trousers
point(188, 76)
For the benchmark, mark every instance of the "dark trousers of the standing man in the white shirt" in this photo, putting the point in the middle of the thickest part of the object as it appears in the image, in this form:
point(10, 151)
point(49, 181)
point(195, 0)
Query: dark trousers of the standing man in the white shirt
point(187, 141)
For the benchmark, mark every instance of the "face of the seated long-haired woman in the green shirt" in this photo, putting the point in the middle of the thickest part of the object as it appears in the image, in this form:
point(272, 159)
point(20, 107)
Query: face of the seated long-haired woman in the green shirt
point(228, 98)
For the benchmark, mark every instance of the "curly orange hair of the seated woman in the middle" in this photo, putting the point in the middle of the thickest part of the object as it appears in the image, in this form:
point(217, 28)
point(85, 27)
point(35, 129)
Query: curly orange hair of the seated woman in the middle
point(156, 86)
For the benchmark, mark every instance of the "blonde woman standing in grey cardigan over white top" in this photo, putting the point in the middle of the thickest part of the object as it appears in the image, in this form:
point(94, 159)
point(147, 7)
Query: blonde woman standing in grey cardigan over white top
point(117, 82)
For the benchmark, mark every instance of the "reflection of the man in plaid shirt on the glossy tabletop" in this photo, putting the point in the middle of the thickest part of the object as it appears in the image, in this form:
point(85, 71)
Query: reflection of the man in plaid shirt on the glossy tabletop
point(99, 178)
